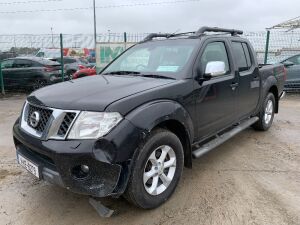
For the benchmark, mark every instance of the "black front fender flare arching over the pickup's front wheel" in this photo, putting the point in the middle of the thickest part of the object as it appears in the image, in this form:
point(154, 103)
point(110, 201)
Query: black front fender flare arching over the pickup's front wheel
point(149, 115)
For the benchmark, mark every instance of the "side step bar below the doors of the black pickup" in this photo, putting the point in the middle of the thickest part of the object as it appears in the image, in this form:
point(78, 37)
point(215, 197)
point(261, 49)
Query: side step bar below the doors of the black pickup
point(224, 137)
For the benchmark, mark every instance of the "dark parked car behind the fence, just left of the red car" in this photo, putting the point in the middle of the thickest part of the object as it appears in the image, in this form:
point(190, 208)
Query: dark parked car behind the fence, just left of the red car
point(72, 64)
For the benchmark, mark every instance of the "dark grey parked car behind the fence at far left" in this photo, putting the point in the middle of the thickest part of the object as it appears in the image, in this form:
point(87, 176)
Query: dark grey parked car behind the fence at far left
point(30, 72)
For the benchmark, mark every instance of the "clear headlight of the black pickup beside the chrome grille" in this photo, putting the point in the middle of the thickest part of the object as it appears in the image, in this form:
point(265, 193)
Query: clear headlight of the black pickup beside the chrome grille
point(92, 125)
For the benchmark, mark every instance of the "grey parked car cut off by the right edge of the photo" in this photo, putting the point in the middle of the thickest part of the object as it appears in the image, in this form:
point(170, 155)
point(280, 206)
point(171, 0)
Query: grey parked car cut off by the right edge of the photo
point(292, 65)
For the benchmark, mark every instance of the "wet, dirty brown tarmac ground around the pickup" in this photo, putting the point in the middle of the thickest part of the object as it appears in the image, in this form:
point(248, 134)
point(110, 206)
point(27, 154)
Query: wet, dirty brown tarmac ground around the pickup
point(253, 178)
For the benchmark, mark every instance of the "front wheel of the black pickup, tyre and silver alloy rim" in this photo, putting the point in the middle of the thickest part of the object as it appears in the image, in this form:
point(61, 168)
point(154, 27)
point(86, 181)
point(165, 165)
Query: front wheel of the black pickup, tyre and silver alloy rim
point(144, 194)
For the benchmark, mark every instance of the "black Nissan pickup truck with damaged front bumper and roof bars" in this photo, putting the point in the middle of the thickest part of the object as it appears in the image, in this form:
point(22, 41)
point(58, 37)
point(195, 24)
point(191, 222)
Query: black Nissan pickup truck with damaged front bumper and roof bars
point(131, 129)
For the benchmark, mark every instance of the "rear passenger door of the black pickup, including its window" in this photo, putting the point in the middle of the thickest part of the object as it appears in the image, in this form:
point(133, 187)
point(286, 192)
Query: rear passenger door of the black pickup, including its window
point(248, 78)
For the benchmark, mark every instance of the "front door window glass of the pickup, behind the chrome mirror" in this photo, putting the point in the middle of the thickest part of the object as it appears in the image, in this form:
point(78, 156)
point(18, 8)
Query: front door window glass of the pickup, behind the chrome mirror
point(215, 51)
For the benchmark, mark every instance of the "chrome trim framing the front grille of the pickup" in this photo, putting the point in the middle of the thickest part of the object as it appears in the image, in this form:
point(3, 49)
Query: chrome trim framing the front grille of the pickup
point(53, 124)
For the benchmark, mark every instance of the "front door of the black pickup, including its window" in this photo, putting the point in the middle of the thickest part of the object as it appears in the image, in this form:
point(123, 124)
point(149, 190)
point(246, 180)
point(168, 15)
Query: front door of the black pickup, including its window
point(215, 98)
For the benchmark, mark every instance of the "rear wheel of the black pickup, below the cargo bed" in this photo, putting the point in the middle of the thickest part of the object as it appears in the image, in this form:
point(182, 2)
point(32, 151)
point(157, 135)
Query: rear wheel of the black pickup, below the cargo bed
point(266, 114)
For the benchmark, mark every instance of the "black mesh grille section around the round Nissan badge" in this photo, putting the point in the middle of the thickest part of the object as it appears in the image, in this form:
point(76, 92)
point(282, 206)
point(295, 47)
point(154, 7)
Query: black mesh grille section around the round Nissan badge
point(45, 115)
